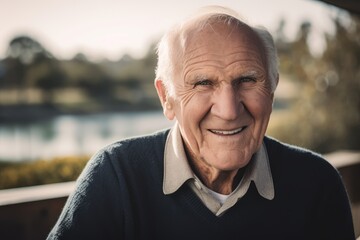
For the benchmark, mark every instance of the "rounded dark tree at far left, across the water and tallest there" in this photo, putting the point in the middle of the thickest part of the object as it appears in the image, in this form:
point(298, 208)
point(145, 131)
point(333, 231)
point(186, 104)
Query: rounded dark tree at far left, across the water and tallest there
point(30, 65)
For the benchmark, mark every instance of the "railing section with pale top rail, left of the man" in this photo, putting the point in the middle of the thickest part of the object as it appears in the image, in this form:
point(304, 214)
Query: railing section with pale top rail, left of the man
point(29, 213)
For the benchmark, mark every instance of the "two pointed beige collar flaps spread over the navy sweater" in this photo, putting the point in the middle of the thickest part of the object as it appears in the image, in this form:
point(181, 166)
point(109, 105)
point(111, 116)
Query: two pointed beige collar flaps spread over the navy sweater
point(177, 170)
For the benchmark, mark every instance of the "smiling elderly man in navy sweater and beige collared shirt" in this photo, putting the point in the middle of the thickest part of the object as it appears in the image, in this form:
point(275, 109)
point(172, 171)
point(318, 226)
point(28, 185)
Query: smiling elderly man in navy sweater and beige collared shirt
point(213, 175)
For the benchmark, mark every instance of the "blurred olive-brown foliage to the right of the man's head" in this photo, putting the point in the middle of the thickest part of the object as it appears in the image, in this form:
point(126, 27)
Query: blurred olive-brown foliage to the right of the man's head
point(326, 115)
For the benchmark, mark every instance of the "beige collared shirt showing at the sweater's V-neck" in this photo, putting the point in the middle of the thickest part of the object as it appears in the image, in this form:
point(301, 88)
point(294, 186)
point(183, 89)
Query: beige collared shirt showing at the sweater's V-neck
point(177, 171)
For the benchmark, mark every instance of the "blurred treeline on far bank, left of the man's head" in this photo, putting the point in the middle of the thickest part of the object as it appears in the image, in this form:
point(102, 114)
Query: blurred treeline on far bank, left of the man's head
point(103, 86)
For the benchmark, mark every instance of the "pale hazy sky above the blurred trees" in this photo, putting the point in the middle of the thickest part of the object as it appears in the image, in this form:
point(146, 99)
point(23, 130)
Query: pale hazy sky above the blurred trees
point(107, 29)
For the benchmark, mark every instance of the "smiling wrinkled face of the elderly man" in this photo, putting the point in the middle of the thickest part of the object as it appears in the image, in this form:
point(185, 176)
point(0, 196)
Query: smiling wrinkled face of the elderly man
point(222, 99)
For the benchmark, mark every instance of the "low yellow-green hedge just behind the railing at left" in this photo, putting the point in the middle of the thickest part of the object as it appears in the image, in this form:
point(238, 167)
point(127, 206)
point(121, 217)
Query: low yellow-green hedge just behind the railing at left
point(13, 175)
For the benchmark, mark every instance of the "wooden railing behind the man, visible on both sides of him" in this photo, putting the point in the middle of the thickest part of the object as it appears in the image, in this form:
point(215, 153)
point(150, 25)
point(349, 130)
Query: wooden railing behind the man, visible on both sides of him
point(29, 213)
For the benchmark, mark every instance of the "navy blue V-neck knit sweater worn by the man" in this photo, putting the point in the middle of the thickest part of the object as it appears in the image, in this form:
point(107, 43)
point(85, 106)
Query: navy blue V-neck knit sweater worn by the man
point(119, 196)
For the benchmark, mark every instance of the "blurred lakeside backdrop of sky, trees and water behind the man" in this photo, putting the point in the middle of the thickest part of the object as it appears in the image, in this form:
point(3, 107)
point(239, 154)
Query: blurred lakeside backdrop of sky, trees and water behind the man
point(78, 75)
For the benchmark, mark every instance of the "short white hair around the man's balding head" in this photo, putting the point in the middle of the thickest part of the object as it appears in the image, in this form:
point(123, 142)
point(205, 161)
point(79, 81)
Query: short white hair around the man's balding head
point(171, 47)
